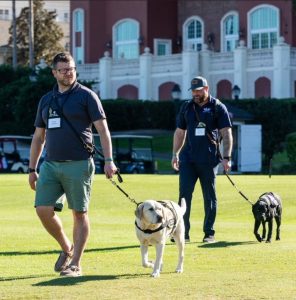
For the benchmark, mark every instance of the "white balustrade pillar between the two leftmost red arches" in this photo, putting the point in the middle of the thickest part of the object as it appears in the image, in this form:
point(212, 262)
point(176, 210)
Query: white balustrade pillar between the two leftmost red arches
point(145, 92)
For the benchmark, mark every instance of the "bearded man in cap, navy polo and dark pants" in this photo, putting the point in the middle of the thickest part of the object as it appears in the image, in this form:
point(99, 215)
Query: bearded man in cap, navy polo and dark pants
point(196, 155)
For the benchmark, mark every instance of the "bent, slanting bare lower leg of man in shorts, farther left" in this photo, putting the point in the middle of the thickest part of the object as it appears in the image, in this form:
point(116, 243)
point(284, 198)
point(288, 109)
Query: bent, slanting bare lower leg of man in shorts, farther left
point(52, 223)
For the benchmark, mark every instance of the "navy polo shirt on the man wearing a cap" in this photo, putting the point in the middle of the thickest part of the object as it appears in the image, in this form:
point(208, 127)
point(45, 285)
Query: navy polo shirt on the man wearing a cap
point(198, 148)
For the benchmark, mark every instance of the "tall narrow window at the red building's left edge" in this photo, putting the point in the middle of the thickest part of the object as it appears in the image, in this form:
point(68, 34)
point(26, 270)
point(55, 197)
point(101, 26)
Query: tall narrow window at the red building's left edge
point(78, 36)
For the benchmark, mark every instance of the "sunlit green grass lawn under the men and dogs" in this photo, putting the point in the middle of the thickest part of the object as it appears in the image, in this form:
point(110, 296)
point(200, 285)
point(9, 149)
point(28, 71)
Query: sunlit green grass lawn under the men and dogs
point(236, 267)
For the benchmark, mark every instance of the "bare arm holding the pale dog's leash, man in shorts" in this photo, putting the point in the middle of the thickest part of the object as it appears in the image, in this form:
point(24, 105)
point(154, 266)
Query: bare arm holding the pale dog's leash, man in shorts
point(106, 143)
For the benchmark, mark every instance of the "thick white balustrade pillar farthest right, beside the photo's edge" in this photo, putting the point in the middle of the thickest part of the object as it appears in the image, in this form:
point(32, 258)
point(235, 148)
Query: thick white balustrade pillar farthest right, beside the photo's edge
point(281, 86)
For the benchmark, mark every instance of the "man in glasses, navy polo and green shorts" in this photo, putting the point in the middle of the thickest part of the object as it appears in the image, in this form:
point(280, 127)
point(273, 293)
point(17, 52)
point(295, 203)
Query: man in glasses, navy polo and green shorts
point(64, 119)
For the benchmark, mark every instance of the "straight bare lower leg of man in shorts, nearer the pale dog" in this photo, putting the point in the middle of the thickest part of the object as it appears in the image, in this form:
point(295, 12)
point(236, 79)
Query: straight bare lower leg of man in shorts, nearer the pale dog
point(80, 235)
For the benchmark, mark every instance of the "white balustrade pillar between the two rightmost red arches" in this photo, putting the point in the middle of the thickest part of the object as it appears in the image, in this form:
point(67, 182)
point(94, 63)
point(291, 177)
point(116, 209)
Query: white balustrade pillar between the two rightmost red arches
point(240, 69)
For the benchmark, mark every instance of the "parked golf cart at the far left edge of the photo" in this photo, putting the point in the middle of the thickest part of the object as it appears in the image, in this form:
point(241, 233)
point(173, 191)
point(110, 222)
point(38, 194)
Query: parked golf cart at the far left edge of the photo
point(14, 153)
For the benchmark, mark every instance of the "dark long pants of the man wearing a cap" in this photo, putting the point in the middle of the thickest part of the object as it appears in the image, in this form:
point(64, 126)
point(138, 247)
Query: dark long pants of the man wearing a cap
point(188, 176)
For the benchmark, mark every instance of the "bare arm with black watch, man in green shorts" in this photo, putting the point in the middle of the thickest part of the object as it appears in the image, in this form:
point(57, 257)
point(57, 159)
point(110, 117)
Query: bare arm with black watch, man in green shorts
point(36, 149)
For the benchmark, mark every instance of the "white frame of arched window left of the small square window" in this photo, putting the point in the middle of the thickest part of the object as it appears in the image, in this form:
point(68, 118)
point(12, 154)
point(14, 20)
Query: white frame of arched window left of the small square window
point(115, 43)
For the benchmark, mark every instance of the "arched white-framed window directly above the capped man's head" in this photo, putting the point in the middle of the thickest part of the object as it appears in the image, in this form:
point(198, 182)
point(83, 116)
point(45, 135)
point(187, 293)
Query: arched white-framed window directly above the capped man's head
point(193, 34)
